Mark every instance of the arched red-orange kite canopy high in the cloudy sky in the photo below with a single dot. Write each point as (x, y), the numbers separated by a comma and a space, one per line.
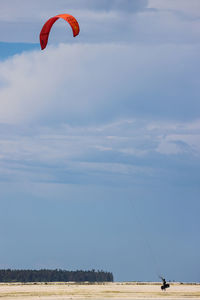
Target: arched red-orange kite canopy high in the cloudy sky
(44, 34)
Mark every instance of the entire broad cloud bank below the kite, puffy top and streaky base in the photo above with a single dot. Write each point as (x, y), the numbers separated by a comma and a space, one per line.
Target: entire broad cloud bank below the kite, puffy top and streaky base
(108, 113)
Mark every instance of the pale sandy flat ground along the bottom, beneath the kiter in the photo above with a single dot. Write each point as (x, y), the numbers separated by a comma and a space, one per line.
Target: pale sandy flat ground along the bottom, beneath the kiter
(115, 291)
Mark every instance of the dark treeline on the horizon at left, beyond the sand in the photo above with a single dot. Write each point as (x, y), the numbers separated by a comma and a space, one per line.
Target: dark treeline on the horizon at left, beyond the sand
(45, 275)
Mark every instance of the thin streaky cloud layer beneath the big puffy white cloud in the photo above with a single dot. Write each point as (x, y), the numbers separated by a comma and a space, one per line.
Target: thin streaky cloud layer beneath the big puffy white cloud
(124, 149)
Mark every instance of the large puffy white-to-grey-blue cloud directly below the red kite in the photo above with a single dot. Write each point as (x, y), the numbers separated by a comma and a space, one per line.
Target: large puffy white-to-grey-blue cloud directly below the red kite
(93, 83)
